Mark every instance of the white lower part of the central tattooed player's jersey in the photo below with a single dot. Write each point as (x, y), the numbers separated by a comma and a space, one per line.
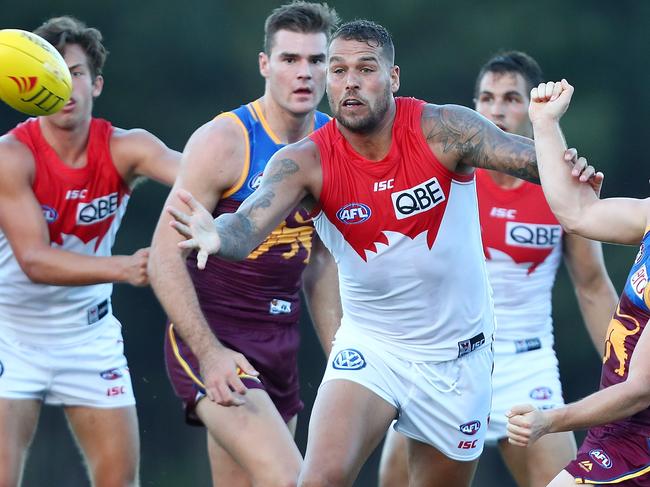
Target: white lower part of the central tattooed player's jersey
(424, 304)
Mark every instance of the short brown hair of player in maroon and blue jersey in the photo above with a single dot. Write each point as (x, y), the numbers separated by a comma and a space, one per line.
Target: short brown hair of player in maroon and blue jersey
(299, 16)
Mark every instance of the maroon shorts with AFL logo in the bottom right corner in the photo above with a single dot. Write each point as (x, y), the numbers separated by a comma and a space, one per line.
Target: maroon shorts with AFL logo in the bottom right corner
(612, 455)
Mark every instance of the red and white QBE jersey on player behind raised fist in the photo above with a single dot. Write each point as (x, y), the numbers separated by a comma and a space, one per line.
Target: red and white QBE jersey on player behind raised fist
(522, 241)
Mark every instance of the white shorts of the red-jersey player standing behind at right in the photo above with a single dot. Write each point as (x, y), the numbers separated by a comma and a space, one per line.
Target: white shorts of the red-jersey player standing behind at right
(530, 377)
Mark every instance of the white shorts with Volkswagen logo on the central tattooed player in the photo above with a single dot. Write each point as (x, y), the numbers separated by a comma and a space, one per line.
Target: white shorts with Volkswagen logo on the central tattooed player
(444, 404)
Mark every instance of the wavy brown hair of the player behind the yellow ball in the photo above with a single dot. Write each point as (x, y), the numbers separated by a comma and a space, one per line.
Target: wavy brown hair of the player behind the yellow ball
(61, 31)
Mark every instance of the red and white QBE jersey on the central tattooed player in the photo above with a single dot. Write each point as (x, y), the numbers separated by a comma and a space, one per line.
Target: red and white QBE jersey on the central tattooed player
(405, 234)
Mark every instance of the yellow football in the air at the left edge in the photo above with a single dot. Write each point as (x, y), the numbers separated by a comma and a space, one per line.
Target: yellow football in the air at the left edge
(34, 78)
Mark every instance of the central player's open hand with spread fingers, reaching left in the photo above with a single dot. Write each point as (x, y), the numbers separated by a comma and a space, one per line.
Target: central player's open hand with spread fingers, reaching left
(197, 228)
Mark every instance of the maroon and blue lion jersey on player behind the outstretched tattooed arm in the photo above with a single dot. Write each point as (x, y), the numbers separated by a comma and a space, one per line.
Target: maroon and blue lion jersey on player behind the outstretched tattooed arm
(263, 289)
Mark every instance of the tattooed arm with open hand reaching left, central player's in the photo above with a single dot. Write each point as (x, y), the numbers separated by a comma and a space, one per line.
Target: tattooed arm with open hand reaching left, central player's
(293, 174)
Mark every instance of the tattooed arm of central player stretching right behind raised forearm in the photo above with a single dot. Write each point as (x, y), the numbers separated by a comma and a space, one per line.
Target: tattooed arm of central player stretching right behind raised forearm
(460, 137)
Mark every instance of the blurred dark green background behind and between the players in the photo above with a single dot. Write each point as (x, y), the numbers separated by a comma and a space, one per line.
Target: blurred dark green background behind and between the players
(174, 65)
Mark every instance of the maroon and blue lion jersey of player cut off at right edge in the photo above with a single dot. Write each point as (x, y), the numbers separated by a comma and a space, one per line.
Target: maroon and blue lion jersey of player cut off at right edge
(629, 320)
